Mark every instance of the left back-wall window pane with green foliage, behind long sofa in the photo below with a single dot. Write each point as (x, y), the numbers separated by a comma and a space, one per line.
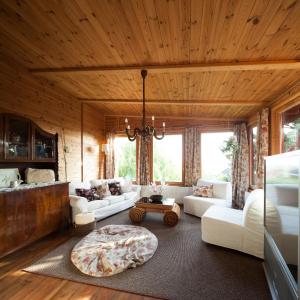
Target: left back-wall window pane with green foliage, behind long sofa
(125, 158)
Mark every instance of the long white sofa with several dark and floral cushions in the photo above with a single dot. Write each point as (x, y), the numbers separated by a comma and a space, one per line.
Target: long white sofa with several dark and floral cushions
(101, 208)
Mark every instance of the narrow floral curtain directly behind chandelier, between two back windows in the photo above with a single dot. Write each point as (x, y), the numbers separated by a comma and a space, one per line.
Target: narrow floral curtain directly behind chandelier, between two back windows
(143, 163)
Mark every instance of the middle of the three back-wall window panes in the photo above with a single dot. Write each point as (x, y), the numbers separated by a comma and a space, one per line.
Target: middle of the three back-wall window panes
(167, 158)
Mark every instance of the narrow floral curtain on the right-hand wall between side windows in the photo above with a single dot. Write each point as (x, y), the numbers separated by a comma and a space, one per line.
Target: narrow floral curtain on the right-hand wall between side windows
(262, 145)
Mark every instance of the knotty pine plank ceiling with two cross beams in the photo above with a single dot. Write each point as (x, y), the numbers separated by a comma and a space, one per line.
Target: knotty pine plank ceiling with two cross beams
(218, 59)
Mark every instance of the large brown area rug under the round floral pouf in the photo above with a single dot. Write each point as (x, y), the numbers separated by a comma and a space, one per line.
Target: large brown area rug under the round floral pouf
(183, 266)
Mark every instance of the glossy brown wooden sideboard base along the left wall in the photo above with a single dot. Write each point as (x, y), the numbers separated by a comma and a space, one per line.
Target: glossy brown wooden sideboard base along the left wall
(29, 214)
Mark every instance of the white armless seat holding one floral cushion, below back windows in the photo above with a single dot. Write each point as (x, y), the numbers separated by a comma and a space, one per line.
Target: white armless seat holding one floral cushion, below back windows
(197, 206)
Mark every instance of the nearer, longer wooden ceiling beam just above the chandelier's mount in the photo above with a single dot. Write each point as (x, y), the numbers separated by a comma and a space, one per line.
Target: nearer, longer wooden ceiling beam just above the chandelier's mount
(182, 68)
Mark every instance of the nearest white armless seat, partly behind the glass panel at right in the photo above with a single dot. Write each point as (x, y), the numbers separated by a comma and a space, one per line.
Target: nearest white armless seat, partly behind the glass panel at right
(242, 230)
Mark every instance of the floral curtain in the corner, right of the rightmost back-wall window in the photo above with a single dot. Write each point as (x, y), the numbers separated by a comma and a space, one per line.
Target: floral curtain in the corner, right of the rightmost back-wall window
(240, 166)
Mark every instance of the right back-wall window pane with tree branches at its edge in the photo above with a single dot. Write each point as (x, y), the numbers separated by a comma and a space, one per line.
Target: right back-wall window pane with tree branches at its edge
(216, 155)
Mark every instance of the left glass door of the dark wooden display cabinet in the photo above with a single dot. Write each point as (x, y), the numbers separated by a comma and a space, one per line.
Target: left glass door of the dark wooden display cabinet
(17, 139)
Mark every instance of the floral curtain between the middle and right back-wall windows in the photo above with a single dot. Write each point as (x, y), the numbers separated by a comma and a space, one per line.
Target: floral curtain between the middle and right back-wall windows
(192, 163)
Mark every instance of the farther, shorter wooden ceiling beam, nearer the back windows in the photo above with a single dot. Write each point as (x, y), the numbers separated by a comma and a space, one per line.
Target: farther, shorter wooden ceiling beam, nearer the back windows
(176, 102)
